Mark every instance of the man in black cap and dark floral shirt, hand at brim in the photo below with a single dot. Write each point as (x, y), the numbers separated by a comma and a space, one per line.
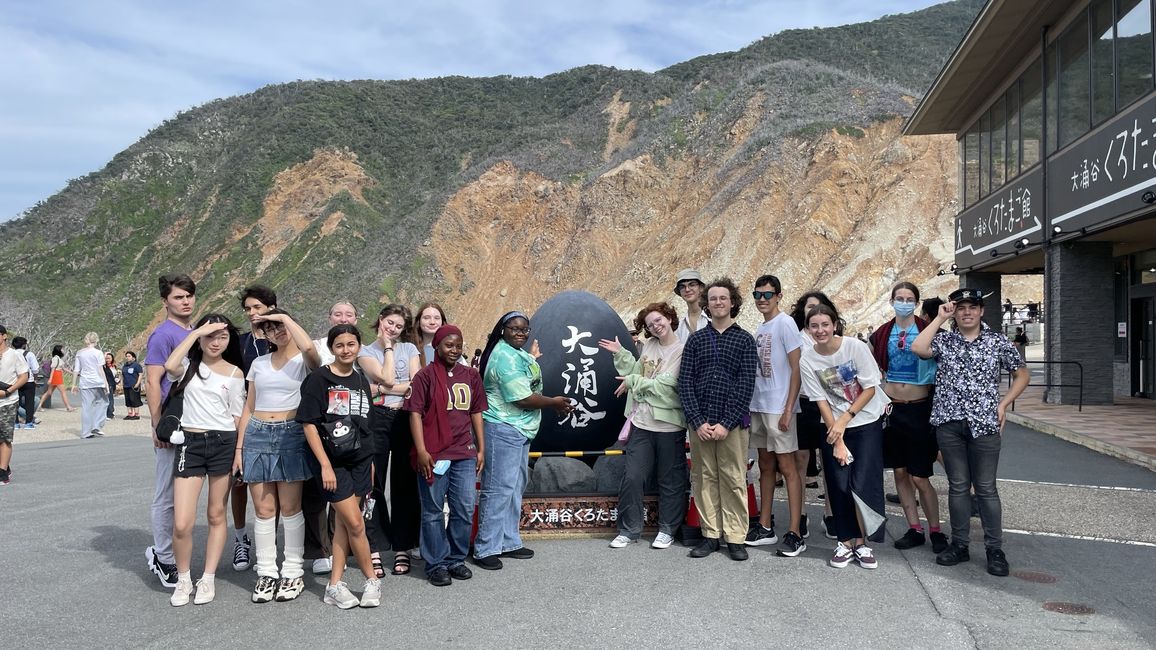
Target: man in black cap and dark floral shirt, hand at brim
(968, 415)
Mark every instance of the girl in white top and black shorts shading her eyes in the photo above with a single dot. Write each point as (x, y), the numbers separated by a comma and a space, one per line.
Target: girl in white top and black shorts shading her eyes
(214, 393)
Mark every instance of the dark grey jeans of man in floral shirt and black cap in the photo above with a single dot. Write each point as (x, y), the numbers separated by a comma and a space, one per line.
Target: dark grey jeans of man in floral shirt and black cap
(972, 463)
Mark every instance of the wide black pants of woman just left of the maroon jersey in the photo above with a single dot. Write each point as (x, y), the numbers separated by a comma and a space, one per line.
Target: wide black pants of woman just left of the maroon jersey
(398, 526)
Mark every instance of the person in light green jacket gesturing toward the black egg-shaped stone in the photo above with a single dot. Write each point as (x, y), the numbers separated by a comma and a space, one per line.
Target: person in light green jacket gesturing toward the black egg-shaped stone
(656, 424)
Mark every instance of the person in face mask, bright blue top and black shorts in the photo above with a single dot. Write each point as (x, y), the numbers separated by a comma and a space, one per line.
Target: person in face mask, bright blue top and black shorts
(909, 441)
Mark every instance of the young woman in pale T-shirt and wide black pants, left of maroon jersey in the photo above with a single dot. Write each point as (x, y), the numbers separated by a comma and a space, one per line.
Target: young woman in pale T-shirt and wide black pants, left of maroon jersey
(391, 365)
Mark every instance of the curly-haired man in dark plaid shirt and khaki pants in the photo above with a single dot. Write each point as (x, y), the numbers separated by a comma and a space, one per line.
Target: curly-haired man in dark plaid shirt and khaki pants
(716, 382)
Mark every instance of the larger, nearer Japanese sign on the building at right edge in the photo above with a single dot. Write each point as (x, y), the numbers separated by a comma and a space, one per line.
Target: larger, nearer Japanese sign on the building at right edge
(1107, 174)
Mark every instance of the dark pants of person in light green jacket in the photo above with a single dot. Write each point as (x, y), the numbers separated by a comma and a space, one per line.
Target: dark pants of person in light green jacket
(664, 454)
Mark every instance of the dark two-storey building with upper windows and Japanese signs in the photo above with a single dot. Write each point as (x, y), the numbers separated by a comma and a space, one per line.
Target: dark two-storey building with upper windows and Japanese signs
(1055, 110)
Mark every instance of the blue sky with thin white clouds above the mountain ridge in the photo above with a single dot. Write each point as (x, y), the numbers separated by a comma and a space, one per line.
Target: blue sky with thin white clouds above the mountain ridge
(81, 80)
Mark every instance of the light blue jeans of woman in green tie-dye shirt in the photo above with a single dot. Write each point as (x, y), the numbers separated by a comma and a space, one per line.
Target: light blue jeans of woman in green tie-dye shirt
(505, 478)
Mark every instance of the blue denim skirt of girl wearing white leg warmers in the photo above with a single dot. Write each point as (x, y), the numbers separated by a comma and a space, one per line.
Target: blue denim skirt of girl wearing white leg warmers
(276, 452)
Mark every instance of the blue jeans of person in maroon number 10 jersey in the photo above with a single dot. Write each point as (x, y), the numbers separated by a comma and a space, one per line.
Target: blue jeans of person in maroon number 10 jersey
(447, 546)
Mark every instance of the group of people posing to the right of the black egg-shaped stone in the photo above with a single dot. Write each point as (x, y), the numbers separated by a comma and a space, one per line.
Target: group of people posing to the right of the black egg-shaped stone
(917, 393)
